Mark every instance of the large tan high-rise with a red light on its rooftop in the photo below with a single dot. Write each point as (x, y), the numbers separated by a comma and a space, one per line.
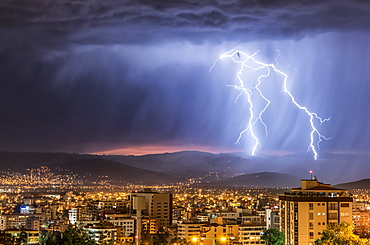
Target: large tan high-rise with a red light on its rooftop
(306, 211)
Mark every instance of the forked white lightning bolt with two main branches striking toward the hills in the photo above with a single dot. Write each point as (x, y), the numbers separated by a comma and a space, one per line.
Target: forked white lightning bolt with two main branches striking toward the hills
(245, 61)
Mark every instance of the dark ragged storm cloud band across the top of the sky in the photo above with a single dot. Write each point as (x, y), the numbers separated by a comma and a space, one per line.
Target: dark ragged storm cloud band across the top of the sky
(54, 24)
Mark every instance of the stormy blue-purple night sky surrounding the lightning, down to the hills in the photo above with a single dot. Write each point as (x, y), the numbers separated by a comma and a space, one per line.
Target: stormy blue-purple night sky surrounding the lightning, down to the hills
(132, 77)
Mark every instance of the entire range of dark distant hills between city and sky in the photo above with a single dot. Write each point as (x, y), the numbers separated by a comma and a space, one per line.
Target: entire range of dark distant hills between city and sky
(228, 169)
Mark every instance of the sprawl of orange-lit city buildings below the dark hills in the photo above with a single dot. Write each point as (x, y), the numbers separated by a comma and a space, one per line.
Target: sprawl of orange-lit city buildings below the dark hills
(196, 216)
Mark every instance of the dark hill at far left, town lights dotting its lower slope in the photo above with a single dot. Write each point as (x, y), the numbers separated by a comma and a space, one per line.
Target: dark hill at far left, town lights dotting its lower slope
(91, 167)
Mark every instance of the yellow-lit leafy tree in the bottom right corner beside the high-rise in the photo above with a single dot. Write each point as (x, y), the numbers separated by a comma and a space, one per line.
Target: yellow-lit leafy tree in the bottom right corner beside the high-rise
(341, 234)
